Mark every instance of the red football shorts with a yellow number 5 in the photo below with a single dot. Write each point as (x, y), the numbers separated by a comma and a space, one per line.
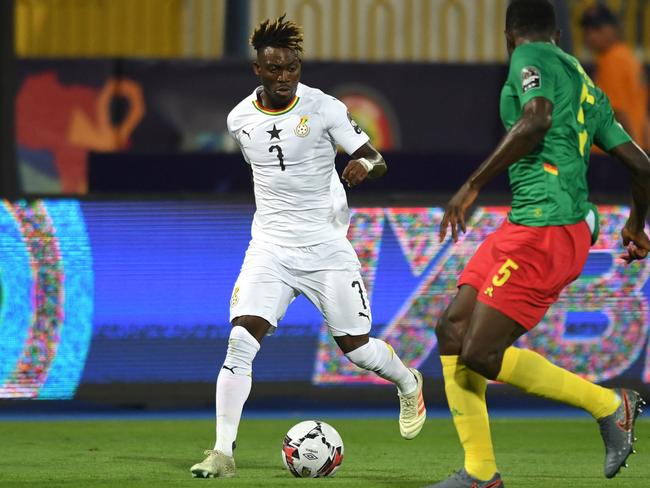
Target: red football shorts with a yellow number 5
(520, 271)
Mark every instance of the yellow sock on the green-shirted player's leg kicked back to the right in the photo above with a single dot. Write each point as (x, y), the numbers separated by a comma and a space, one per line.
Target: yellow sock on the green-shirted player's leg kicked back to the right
(534, 374)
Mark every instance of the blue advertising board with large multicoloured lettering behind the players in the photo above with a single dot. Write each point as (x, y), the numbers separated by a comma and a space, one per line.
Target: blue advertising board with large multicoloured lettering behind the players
(138, 292)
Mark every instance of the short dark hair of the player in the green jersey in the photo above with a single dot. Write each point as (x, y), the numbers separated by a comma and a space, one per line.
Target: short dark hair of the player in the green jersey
(531, 17)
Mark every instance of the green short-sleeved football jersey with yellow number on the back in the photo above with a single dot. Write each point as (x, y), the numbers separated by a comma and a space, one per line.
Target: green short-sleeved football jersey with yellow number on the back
(549, 185)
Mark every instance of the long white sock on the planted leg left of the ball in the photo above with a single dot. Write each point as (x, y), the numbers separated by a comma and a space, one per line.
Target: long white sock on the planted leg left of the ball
(234, 386)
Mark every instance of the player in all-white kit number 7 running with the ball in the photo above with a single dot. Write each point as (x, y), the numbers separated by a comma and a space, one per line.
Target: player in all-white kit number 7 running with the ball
(288, 133)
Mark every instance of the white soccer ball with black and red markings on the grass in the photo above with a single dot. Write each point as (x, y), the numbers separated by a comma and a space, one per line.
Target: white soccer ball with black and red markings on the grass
(312, 449)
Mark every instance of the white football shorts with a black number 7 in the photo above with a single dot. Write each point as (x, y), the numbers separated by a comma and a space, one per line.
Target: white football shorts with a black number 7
(328, 274)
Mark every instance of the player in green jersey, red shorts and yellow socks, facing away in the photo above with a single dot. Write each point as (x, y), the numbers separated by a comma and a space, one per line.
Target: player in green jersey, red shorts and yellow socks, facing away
(553, 113)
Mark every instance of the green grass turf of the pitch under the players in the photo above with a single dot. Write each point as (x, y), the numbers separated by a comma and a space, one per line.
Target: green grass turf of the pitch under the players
(129, 453)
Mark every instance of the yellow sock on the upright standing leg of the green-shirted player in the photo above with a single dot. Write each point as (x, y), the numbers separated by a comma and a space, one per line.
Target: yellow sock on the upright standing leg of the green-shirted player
(465, 391)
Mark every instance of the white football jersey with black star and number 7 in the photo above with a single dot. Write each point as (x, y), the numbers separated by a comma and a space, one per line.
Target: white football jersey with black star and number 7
(298, 193)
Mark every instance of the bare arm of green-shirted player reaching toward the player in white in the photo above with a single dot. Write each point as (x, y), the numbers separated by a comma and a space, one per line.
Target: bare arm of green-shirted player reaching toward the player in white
(524, 136)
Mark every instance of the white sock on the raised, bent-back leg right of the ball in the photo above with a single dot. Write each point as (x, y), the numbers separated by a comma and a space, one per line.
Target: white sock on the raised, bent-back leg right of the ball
(379, 356)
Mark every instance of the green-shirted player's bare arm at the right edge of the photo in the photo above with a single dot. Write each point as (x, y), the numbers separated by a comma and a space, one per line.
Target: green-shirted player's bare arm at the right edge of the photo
(637, 163)
